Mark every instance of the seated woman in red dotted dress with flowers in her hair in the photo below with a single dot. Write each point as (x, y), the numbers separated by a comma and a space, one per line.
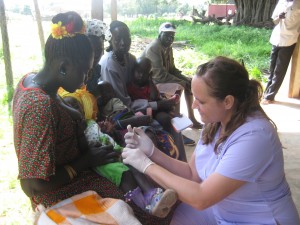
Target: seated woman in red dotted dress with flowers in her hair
(45, 135)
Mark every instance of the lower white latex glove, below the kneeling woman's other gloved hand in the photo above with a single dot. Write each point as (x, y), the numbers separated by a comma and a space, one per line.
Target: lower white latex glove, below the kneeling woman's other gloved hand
(136, 158)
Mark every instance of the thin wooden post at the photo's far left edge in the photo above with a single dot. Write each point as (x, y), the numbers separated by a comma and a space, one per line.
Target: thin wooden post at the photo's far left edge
(6, 53)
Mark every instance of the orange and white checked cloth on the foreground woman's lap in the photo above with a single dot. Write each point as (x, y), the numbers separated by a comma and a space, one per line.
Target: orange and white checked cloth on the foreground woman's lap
(88, 208)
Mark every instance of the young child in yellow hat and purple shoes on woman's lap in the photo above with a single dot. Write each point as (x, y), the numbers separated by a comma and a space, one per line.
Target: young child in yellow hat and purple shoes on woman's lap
(136, 185)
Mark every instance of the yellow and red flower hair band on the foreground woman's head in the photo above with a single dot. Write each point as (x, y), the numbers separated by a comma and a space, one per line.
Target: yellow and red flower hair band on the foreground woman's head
(59, 31)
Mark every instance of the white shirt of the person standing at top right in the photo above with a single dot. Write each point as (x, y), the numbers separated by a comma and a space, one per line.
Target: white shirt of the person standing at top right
(287, 30)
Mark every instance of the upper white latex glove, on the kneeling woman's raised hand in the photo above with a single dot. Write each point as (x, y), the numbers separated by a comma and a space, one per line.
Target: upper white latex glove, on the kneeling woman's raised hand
(137, 138)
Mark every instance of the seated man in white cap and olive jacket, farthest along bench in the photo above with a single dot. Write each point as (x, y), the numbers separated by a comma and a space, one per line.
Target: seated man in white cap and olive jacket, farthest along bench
(166, 76)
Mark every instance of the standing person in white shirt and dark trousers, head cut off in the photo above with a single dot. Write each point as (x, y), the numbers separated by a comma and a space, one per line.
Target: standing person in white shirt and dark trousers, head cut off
(283, 39)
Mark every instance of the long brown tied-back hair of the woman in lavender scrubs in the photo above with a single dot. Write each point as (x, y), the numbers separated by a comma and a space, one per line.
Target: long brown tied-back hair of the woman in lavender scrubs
(224, 77)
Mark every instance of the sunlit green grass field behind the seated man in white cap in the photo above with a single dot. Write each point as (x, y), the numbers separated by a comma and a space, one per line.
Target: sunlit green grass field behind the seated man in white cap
(241, 43)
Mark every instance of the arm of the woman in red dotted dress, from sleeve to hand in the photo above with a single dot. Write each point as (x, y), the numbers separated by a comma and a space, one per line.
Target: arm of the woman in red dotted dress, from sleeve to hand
(36, 146)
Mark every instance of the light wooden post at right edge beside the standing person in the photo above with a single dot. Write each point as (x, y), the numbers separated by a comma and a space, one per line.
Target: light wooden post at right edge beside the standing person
(294, 85)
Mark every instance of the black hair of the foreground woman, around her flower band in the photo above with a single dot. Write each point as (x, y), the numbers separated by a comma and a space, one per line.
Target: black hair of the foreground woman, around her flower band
(76, 47)
